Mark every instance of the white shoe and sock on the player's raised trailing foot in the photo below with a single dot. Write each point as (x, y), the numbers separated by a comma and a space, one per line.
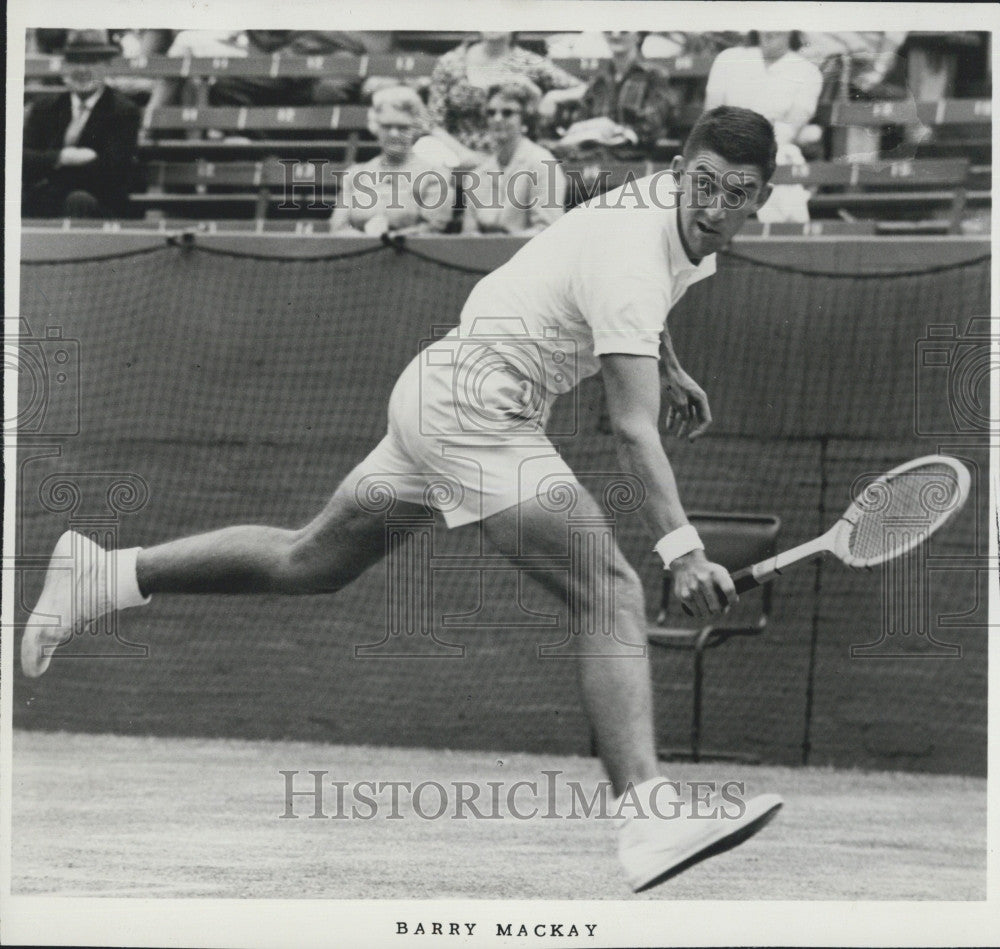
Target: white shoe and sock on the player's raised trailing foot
(83, 583)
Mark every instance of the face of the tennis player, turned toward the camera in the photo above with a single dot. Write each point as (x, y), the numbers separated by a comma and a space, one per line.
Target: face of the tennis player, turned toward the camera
(717, 197)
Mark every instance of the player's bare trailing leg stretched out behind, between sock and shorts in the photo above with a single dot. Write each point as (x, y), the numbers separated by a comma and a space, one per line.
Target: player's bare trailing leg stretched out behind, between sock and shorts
(341, 543)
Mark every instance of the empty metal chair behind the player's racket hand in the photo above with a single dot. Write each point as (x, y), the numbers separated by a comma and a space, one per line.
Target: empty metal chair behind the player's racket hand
(735, 541)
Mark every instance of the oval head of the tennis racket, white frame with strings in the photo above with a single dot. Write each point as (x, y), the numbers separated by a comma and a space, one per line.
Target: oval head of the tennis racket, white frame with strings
(900, 510)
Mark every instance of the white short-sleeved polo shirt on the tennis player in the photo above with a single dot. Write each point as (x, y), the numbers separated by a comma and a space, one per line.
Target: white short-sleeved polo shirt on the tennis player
(599, 280)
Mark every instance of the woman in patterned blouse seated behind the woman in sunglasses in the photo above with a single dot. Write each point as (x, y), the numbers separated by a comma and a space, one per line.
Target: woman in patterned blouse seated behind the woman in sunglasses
(463, 77)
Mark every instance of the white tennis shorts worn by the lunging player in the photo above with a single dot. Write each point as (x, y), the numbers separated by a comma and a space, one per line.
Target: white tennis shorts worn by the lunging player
(466, 437)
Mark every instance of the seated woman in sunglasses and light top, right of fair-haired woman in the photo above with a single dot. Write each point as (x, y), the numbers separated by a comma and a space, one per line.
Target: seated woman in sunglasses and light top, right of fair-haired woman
(520, 189)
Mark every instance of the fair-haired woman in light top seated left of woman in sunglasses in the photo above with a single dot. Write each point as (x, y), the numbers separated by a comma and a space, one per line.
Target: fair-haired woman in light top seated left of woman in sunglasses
(397, 191)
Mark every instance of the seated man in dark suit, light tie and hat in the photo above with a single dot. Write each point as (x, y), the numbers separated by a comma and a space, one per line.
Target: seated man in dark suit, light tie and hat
(80, 145)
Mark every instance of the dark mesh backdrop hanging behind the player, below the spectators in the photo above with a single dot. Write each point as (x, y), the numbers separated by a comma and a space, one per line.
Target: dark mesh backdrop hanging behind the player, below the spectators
(243, 389)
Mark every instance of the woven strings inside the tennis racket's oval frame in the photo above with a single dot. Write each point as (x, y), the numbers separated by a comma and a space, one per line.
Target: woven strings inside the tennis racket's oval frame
(903, 510)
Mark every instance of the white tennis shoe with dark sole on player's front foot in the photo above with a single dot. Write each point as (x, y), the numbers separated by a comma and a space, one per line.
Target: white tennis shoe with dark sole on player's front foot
(654, 849)
